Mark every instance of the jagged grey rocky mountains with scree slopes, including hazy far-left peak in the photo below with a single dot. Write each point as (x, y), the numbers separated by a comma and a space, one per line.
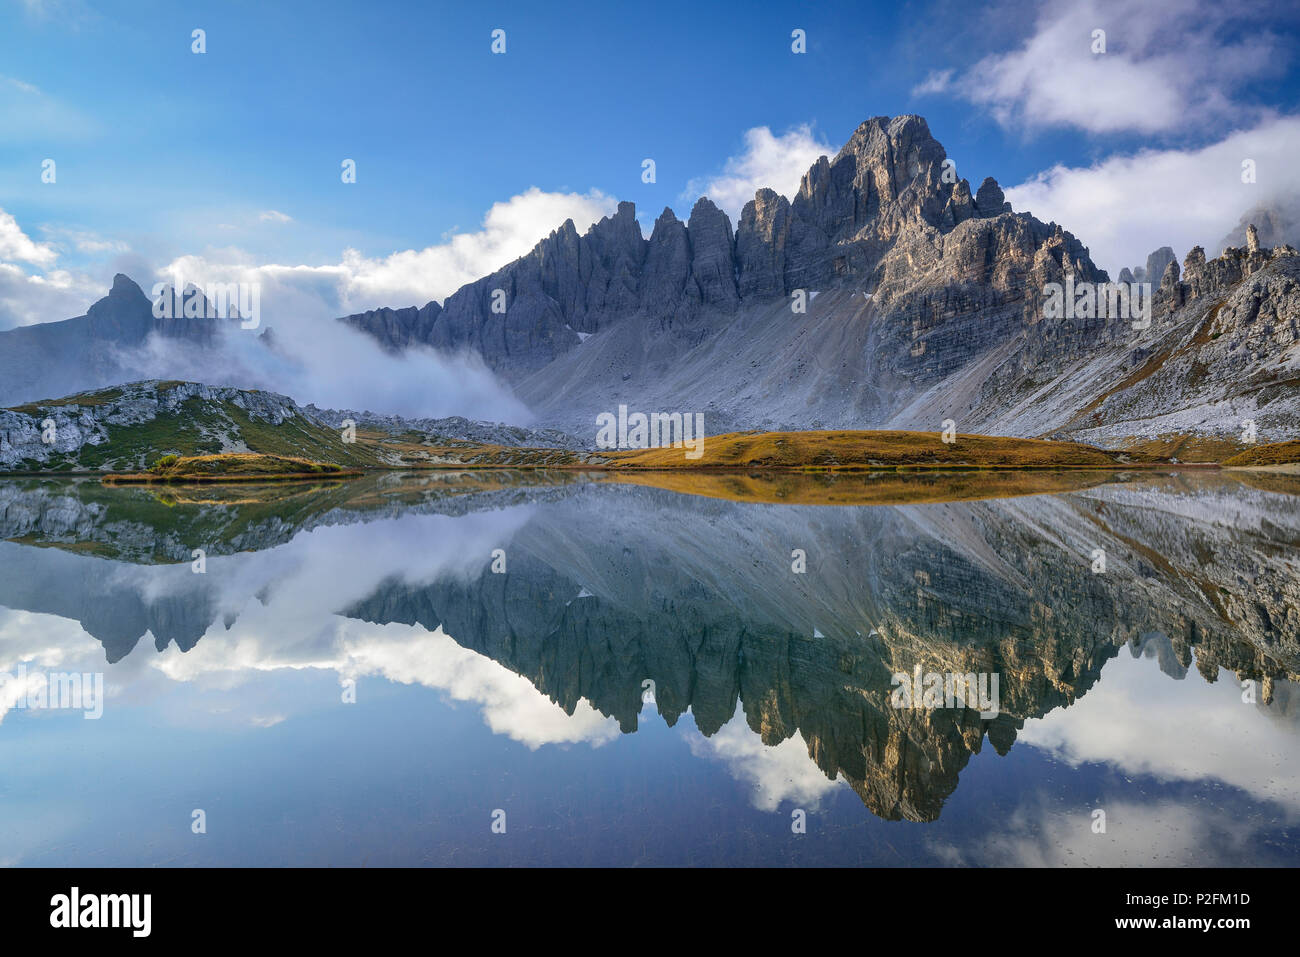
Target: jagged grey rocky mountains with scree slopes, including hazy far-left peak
(886, 295)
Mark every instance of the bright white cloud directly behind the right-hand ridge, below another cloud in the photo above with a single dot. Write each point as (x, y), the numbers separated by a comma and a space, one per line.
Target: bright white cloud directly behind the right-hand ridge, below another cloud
(1125, 207)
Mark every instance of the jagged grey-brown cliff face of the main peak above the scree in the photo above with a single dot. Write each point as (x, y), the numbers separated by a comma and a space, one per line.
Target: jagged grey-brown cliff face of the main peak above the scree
(878, 215)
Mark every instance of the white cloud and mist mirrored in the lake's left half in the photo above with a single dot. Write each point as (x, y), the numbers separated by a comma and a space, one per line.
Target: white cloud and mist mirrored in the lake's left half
(284, 604)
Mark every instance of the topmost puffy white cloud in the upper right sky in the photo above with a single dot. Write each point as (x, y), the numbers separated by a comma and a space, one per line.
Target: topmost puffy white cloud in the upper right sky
(1165, 70)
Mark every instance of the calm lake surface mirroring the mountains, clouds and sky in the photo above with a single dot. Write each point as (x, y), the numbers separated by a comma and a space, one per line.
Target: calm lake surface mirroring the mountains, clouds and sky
(652, 677)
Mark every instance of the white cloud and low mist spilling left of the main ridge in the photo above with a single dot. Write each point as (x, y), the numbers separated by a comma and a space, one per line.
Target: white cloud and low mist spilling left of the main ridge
(335, 366)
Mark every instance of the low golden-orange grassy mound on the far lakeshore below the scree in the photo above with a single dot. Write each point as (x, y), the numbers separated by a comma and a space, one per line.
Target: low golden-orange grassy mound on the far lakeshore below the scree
(866, 451)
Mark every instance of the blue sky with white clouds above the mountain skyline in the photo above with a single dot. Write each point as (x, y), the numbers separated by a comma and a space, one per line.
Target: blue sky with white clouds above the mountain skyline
(229, 162)
